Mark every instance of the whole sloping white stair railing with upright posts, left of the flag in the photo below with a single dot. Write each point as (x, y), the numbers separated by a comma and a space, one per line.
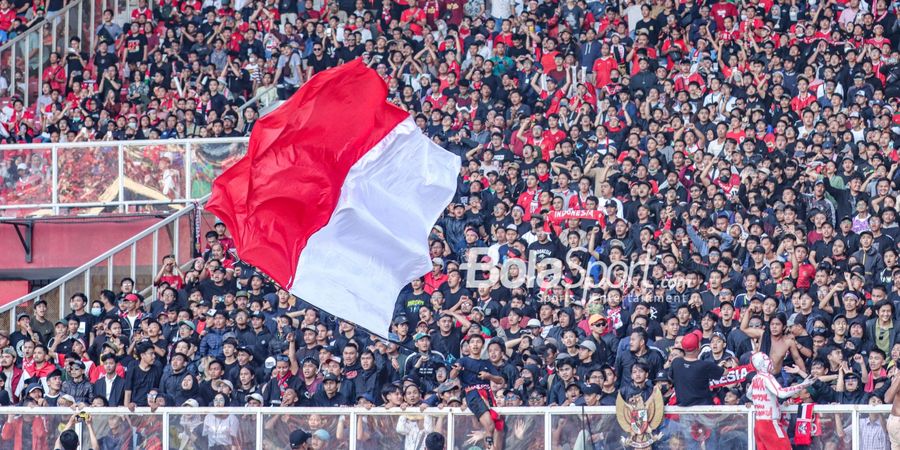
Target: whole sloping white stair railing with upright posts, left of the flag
(137, 258)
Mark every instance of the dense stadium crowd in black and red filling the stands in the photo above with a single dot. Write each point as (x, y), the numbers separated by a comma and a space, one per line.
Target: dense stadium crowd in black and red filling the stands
(737, 161)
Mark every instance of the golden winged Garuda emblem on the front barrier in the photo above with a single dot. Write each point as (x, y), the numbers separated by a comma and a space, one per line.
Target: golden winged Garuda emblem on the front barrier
(639, 419)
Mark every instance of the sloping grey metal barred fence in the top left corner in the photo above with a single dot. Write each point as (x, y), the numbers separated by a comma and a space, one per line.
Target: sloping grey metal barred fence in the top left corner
(24, 57)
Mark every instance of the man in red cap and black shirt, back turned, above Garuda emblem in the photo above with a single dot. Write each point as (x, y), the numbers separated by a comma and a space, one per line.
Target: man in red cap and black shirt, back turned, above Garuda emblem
(691, 375)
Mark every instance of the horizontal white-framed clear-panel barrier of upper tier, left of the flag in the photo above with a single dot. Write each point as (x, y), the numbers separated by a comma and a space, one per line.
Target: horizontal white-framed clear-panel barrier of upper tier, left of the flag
(123, 176)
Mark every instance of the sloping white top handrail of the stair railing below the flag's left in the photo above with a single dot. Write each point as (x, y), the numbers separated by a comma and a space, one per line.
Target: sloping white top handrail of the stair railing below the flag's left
(105, 256)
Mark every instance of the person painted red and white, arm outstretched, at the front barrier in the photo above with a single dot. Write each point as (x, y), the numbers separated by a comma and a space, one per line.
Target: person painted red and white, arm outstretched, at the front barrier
(765, 392)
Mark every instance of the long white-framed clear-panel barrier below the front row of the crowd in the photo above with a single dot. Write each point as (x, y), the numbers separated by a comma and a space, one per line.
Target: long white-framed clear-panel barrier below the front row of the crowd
(568, 428)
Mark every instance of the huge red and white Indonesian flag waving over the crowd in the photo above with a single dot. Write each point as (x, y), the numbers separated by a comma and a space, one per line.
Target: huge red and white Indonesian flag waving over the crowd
(336, 196)
